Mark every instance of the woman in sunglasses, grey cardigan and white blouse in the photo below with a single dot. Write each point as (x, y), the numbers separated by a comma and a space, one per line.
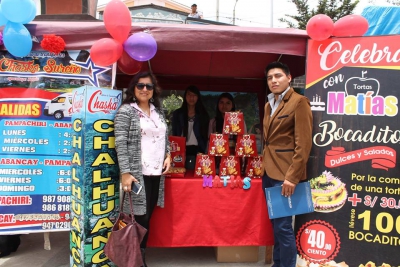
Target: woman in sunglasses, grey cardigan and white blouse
(142, 146)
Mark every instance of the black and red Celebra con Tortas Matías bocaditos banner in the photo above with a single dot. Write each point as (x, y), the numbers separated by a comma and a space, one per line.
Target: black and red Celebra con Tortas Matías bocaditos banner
(353, 87)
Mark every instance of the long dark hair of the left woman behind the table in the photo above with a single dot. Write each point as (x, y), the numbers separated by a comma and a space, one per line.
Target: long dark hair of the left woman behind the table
(200, 111)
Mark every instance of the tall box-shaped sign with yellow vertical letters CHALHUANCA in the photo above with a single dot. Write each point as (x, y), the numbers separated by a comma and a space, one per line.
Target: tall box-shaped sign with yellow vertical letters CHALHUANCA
(94, 174)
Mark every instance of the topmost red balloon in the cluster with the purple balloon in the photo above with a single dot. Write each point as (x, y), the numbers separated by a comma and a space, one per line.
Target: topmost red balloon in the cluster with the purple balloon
(117, 20)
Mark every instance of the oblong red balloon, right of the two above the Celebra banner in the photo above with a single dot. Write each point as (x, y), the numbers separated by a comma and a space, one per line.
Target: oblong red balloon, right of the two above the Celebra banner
(350, 25)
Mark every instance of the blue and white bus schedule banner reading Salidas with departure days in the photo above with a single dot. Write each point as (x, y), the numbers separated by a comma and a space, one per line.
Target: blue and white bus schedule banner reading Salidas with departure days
(35, 124)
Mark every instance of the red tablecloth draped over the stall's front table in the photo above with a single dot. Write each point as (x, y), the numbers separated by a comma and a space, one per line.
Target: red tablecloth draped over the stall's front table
(197, 216)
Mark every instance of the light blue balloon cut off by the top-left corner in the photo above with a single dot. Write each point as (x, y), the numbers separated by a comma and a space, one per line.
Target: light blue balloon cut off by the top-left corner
(18, 11)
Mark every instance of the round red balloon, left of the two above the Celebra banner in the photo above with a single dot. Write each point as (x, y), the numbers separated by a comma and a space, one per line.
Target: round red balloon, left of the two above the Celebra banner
(319, 27)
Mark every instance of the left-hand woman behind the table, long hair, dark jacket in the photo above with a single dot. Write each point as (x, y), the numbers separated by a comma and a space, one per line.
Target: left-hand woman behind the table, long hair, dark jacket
(191, 121)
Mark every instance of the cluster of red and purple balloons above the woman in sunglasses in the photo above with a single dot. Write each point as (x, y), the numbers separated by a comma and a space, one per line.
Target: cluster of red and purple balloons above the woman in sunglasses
(128, 52)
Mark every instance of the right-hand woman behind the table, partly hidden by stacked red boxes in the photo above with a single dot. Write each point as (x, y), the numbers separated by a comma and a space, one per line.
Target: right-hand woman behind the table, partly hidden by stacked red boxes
(225, 103)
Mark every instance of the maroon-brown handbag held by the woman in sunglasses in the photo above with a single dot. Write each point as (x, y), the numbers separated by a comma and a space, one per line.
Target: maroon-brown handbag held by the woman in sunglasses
(123, 245)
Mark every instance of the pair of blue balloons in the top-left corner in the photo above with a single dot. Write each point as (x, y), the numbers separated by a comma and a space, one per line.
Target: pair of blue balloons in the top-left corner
(14, 14)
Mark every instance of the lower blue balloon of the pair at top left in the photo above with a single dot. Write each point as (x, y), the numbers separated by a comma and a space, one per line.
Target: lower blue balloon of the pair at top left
(17, 39)
